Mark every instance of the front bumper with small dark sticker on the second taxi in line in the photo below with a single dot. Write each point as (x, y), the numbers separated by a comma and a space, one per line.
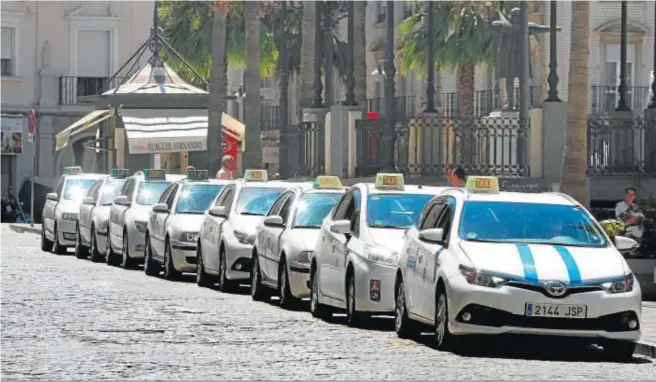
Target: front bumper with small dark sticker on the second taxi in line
(374, 287)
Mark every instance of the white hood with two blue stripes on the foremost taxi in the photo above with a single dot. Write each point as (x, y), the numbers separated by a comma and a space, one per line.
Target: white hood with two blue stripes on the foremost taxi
(546, 262)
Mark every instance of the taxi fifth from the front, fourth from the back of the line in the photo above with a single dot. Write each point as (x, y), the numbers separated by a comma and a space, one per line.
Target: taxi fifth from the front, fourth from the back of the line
(174, 223)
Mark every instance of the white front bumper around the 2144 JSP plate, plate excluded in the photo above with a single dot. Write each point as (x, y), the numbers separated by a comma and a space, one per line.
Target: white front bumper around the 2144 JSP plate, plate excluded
(502, 310)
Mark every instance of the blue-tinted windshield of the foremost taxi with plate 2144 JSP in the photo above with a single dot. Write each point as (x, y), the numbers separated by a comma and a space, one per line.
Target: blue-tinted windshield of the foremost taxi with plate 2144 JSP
(533, 223)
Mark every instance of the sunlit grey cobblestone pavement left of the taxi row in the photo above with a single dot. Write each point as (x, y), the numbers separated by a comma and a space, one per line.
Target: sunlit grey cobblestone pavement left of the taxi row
(64, 318)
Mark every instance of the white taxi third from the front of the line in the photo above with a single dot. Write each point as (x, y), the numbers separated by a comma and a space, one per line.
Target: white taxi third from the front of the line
(285, 239)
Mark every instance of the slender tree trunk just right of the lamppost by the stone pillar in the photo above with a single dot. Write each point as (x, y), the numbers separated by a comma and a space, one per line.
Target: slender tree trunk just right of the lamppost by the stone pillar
(360, 54)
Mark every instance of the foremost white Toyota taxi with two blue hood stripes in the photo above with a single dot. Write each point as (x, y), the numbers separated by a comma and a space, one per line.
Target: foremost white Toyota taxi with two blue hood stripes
(488, 262)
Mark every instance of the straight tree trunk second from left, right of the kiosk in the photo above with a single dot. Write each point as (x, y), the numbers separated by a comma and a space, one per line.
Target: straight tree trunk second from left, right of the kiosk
(253, 154)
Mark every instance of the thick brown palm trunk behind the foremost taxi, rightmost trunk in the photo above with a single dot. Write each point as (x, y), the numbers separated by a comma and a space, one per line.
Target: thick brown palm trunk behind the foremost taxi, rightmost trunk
(575, 180)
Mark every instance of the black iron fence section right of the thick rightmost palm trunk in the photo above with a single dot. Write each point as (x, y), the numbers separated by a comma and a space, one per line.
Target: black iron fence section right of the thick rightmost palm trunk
(621, 146)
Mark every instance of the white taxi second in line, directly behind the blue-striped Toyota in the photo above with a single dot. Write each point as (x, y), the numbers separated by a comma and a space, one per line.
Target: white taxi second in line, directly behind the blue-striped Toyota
(354, 262)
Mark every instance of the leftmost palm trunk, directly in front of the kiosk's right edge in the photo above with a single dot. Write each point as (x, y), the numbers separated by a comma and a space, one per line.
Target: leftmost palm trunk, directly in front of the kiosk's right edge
(217, 90)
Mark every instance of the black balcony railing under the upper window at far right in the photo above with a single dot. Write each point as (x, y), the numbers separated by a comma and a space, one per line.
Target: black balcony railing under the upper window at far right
(604, 98)
